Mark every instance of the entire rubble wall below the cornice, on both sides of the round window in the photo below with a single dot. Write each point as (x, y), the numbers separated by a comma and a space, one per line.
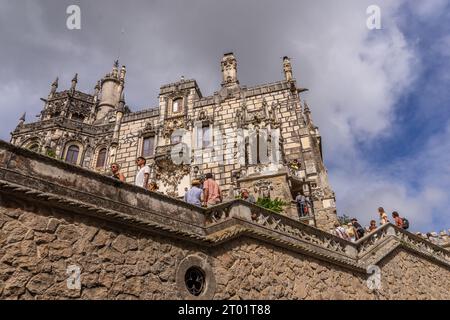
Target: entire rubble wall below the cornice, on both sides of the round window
(39, 244)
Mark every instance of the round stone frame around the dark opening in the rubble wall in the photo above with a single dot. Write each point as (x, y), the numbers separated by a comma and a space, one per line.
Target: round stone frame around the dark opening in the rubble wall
(202, 262)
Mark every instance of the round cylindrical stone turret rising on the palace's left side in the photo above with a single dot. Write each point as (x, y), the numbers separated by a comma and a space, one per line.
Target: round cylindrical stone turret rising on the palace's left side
(111, 89)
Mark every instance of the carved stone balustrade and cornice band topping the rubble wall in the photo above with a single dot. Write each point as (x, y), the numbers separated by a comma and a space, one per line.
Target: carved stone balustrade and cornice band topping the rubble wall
(47, 182)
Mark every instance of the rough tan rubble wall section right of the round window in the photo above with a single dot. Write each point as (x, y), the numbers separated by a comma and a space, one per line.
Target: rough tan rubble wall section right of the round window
(246, 269)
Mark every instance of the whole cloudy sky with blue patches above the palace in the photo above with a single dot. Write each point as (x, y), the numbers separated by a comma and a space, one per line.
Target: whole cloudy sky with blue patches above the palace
(381, 98)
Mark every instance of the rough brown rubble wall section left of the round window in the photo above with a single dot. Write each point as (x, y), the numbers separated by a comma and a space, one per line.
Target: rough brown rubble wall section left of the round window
(37, 248)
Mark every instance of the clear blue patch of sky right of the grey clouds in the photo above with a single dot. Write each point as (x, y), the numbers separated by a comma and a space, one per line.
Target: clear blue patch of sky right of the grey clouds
(411, 161)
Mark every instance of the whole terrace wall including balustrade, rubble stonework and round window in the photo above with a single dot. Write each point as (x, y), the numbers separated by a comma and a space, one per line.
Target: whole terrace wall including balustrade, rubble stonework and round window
(130, 243)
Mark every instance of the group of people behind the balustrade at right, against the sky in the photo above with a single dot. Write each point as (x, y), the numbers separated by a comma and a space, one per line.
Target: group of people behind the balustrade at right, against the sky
(353, 231)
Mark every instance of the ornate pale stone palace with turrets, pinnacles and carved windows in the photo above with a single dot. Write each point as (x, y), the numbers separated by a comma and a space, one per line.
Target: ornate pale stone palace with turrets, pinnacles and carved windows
(245, 136)
